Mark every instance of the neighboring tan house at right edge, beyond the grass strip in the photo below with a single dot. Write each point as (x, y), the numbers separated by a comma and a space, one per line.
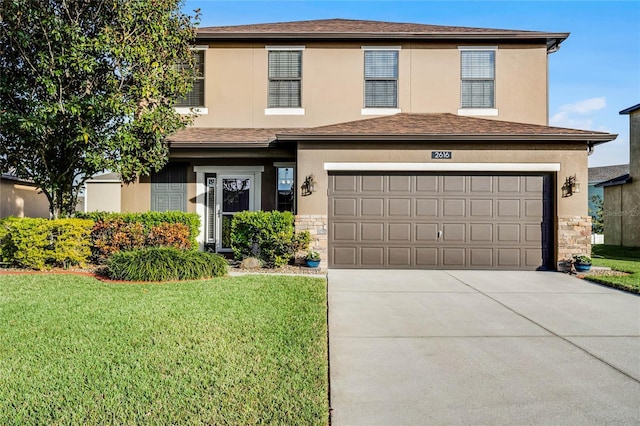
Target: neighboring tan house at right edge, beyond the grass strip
(622, 193)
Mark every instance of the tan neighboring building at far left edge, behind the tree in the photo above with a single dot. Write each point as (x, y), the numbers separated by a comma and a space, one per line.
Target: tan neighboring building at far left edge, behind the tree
(21, 198)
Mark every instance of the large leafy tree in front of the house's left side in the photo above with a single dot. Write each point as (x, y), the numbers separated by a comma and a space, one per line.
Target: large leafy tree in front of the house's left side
(88, 86)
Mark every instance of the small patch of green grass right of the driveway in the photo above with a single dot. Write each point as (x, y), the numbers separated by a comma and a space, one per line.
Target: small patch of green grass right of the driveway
(625, 259)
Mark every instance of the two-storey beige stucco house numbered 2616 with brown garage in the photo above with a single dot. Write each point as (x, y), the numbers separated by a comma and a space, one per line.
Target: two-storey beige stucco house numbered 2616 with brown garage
(410, 145)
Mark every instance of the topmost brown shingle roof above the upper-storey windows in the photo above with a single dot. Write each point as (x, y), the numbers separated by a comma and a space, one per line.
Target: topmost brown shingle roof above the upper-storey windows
(350, 28)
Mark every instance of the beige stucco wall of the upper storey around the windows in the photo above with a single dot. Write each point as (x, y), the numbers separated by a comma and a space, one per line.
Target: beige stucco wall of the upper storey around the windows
(333, 83)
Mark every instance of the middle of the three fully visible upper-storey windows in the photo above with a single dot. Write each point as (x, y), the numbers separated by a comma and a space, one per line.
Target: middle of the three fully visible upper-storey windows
(380, 78)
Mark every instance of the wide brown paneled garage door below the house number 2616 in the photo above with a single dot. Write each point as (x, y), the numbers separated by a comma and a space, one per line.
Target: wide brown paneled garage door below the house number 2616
(443, 221)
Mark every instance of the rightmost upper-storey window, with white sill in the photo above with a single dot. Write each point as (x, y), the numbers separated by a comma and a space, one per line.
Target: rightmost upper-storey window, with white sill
(478, 78)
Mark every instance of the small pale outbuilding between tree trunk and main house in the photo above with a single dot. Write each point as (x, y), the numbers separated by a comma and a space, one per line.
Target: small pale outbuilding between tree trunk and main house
(102, 193)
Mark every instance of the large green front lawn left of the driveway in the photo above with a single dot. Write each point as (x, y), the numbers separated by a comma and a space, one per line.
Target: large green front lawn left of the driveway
(243, 350)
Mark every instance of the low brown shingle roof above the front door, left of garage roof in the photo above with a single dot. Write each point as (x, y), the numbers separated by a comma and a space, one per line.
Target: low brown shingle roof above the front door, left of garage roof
(222, 137)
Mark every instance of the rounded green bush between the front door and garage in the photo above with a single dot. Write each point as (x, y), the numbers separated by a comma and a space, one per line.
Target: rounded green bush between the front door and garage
(269, 236)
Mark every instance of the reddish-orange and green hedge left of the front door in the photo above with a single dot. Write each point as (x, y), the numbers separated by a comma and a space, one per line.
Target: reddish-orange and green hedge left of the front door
(114, 232)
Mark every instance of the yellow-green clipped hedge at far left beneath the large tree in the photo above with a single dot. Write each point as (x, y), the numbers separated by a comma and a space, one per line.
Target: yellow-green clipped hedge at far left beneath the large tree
(39, 243)
